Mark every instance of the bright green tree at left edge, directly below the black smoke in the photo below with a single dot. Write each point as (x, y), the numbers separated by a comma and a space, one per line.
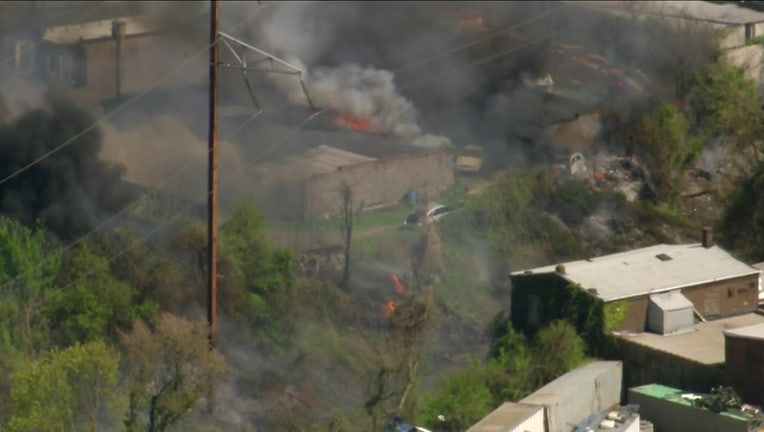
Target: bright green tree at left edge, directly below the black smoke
(28, 267)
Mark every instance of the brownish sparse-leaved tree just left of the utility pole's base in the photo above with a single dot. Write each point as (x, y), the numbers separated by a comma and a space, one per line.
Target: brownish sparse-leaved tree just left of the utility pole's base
(167, 371)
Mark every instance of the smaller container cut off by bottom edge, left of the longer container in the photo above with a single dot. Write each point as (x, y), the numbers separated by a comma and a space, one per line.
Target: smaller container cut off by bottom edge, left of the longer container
(512, 417)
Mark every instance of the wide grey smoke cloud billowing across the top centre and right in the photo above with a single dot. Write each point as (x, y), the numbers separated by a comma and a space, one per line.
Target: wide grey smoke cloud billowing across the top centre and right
(479, 94)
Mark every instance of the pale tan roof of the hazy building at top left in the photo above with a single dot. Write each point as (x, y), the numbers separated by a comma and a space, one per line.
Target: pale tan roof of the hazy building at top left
(98, 30)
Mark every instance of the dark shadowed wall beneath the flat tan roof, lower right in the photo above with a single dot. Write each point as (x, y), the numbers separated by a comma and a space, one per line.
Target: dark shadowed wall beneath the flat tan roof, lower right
(643, 365)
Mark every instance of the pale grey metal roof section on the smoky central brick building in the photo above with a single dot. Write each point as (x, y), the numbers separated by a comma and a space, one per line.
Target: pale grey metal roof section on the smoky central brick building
(319, 160)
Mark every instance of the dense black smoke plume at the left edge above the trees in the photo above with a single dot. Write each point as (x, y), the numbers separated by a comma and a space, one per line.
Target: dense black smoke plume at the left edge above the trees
(72, 189)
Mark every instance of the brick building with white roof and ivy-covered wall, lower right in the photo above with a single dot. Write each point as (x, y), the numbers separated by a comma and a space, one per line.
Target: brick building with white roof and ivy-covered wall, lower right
(703, 275)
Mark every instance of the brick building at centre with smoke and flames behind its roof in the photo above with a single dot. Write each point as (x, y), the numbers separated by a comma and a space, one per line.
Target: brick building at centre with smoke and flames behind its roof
(308, 184)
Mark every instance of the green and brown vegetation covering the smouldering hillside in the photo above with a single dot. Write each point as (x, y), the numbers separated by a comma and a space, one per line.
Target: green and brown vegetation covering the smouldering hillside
(94, 336)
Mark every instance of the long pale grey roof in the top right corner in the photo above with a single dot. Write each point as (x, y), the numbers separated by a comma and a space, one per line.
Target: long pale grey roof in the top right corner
(728, 14)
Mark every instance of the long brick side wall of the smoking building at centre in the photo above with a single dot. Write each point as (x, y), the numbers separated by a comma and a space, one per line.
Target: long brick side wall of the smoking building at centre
(382, 181)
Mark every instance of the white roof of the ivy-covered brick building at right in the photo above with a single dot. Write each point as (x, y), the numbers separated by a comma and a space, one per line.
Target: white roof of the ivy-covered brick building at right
(652, 269)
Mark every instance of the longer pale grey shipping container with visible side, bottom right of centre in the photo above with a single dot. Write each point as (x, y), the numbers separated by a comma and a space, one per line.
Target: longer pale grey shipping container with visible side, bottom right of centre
(578, 394)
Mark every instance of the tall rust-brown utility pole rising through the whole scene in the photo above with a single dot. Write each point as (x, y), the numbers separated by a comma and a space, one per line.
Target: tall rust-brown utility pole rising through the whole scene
(212, 191)
